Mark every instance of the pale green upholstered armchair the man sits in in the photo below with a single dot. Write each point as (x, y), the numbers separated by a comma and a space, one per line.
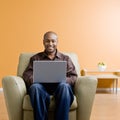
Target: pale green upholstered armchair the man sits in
(18, 102)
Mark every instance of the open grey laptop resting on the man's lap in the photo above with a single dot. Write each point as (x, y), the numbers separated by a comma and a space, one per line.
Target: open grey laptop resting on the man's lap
(49, 71)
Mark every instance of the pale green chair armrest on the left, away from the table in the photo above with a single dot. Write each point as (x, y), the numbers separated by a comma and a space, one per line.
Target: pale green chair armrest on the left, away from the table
(14, 90)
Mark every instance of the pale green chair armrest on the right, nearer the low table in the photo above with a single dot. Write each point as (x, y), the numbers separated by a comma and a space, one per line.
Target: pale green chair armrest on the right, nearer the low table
(85, 89)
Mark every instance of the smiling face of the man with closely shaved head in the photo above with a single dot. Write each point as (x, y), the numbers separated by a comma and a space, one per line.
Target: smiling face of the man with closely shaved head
(50, 43)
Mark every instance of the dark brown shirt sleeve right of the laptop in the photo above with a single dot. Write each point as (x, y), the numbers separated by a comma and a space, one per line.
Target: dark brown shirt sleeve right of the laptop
(71, 72)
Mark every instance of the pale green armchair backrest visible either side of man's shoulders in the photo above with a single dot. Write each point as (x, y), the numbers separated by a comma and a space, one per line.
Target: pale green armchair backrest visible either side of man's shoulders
(25, 57)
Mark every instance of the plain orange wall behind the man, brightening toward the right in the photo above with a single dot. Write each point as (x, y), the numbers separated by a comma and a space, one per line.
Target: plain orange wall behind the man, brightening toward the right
(88, 27)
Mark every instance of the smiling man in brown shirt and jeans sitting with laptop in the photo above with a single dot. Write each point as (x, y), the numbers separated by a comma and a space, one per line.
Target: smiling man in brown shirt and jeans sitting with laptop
(40, 92)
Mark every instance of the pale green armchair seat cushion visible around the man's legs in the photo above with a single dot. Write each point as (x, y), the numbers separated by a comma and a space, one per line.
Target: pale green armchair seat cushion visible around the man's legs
(27, 103)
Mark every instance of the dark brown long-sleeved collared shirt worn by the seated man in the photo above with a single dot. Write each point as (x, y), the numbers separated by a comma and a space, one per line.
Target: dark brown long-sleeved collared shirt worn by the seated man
(71, 74)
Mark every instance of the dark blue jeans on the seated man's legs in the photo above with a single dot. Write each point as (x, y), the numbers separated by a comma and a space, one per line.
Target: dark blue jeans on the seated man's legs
(40, 100)
